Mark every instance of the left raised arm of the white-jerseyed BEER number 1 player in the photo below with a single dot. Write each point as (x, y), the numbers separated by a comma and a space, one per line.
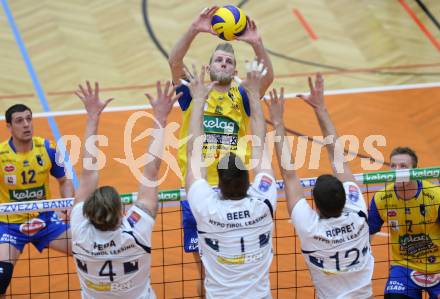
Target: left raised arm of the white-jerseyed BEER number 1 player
(199, 92)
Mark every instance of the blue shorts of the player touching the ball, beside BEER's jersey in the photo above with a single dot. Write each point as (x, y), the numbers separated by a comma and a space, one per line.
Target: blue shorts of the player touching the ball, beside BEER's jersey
(190, 236)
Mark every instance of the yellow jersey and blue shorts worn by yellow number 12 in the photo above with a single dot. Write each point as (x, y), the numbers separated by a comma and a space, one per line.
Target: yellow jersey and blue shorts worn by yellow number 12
(25, 177)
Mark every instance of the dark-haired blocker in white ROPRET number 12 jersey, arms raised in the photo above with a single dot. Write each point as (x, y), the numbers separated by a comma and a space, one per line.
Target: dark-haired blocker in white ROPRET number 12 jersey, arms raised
(335, 236)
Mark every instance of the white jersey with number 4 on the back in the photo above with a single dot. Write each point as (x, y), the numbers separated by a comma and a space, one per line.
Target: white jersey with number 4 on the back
(113, 264)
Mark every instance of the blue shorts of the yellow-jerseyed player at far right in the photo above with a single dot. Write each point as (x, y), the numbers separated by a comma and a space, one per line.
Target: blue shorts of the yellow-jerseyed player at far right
(411, 283)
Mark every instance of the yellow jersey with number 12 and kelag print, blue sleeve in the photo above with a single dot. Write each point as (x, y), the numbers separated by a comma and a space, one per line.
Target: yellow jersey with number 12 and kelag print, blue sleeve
(25, 176)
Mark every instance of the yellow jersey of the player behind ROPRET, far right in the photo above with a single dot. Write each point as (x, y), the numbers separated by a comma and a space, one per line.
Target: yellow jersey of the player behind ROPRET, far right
(413, 226)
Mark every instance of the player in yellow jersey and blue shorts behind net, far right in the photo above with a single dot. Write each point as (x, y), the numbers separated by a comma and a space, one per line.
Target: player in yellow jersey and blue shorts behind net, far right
(411, 211)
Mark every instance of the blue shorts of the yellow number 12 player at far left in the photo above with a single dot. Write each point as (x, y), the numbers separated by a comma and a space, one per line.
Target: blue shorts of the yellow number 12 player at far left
(39, 231)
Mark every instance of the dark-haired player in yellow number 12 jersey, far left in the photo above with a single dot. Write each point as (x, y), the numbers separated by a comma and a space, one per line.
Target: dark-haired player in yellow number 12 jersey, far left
(25, 165)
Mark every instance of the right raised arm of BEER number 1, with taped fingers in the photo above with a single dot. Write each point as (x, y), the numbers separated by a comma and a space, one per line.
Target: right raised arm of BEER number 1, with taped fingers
(254, 79)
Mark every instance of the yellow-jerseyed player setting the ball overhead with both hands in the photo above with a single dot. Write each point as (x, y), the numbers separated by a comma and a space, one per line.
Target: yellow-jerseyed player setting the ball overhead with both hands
(227, 111)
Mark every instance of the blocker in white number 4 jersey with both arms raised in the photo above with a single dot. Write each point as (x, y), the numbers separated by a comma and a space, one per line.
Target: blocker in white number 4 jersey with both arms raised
(112, 251)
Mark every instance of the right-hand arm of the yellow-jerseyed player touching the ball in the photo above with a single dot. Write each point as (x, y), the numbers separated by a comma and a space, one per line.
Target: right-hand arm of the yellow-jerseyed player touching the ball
(253, 38)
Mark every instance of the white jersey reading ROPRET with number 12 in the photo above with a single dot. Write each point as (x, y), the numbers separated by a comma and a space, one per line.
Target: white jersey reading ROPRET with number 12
(337, 250)
